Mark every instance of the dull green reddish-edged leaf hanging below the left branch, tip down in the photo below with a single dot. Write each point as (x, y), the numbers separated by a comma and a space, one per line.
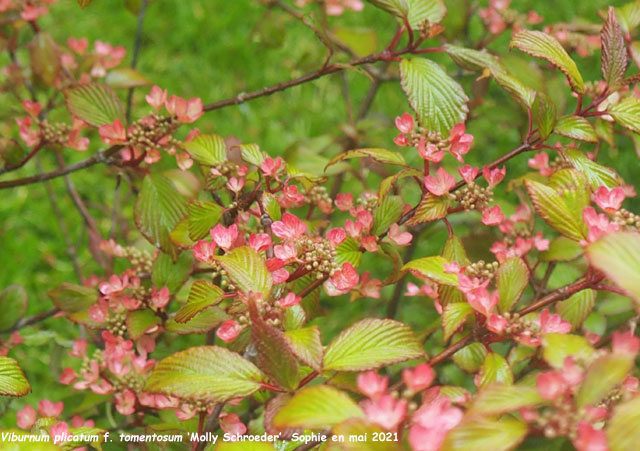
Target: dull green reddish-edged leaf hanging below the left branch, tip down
(159, 208)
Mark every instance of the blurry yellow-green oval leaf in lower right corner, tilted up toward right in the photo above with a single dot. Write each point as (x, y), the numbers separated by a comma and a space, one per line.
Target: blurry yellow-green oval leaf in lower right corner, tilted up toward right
(602, 376)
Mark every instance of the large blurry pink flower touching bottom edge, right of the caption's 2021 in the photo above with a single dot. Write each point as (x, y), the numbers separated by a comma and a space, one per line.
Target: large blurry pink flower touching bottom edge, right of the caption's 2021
(432, 421)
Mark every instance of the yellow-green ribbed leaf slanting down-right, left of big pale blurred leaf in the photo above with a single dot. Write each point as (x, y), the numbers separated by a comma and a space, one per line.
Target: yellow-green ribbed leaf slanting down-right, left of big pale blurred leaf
(554, 210)
